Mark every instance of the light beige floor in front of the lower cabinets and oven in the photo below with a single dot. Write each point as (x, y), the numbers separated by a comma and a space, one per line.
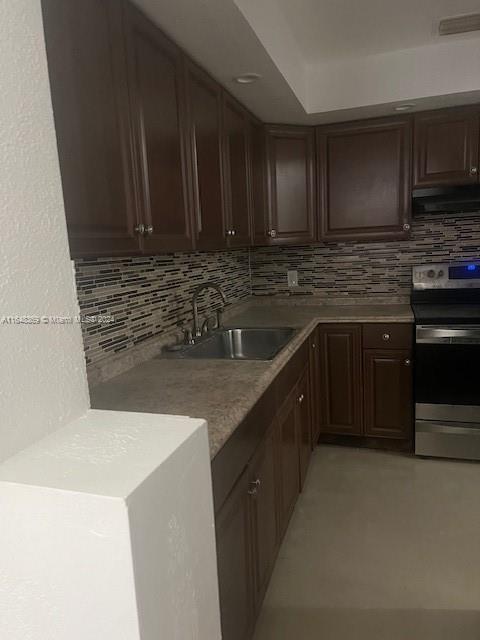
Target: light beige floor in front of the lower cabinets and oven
(380, 547)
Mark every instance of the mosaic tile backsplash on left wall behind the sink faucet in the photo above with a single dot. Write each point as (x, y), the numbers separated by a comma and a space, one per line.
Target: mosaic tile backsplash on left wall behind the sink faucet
(150, 296)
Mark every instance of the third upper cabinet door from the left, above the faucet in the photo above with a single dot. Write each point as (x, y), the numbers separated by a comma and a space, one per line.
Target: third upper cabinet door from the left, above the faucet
(205, 108)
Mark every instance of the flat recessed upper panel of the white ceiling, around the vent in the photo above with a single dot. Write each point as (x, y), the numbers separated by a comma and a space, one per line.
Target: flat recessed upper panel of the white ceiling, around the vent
(329, 29)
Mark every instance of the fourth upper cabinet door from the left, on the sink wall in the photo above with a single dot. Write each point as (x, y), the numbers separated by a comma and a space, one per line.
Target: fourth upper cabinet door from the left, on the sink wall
(237, 174)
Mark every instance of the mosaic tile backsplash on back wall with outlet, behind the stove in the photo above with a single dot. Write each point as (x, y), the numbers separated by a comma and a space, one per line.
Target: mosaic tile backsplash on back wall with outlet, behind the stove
(354, 268)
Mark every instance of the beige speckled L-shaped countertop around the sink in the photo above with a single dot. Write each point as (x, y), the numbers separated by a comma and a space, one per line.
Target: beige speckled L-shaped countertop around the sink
(223, 392)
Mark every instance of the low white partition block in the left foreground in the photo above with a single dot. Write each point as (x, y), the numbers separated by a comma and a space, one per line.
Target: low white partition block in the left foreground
(108, 533)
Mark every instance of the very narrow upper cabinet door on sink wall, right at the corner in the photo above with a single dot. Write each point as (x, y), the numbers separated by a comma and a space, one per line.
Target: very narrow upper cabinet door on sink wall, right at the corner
(260, 220)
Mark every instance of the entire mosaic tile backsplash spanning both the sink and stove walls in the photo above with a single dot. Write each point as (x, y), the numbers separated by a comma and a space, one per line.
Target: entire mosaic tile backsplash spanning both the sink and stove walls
(150, 296)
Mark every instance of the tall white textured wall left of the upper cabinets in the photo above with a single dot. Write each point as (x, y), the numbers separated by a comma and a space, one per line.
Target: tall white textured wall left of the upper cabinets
(42, 372)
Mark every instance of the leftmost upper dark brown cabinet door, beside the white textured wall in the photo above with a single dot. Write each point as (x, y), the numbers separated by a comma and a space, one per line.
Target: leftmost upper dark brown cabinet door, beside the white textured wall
(86, 61)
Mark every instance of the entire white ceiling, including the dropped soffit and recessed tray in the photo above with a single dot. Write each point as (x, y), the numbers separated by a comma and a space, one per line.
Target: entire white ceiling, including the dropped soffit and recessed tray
(328, 60)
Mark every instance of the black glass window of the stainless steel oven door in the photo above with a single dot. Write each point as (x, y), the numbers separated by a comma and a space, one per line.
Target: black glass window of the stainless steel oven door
(447, 374)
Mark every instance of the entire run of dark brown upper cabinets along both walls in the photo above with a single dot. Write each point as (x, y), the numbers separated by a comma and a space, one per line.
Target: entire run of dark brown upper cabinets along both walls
(156, 156)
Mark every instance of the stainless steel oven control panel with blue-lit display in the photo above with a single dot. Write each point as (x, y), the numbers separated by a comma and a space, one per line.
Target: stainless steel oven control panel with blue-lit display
(463, 275)
